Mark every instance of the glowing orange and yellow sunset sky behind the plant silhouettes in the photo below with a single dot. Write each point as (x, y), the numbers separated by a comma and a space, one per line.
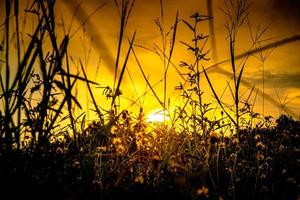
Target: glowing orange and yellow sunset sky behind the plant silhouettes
(281, 68)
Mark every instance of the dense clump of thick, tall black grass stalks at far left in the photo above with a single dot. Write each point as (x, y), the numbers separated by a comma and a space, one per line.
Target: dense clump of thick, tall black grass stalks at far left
(41, 117)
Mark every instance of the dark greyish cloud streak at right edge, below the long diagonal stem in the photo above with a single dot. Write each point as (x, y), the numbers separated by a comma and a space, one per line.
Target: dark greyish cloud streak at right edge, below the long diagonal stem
(281, 79)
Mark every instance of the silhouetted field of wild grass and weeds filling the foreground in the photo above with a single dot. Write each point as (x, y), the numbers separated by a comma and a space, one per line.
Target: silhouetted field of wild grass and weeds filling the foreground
(47, 152)
